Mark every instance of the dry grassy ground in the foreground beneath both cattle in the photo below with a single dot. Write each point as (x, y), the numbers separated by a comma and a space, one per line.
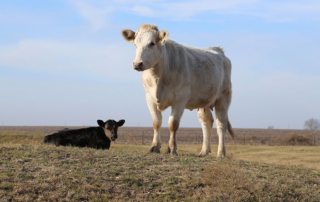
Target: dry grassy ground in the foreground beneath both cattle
(32, 171)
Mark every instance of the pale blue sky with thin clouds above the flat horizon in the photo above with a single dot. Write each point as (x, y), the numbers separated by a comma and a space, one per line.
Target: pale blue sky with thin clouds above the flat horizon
(64, 62)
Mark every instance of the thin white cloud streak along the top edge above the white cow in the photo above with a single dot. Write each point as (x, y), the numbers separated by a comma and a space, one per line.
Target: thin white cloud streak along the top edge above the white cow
(275, 11)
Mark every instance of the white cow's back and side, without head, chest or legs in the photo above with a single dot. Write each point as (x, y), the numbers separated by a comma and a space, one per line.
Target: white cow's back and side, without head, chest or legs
(206, 70)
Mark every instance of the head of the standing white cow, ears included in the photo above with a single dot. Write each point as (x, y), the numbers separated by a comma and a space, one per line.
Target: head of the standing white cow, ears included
(149, 42)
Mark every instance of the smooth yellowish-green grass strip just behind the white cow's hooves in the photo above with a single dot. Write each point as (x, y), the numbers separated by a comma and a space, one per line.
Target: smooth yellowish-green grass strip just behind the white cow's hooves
(302, 156)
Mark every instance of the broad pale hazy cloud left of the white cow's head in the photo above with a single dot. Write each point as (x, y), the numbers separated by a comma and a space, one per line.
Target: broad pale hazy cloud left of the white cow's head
(54, 56)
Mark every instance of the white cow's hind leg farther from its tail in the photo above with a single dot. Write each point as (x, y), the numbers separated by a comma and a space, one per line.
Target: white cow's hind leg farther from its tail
(206, 120)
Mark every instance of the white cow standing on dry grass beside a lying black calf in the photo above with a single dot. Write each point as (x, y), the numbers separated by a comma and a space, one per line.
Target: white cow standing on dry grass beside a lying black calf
(182, 77)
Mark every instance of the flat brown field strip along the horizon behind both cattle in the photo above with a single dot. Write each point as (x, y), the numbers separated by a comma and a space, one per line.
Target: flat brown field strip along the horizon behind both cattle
(247, 136)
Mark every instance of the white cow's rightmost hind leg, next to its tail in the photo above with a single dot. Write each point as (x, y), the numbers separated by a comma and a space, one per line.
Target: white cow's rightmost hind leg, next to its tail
(221, 109)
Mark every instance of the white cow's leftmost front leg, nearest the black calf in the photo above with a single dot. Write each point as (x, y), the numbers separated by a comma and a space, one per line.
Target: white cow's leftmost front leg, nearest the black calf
(157, 121)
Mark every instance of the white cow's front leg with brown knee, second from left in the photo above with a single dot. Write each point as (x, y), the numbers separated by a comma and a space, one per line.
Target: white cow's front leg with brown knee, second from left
(174, 122)
